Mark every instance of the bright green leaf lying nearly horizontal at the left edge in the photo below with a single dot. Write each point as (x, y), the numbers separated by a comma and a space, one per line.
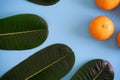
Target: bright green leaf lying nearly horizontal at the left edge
(23, 31)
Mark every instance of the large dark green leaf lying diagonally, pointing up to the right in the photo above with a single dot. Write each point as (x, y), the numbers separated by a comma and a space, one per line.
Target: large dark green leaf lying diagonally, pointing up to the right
(51, 63)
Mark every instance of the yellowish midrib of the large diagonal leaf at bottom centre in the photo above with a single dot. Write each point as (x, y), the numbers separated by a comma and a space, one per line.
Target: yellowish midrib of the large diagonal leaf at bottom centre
(45, 67)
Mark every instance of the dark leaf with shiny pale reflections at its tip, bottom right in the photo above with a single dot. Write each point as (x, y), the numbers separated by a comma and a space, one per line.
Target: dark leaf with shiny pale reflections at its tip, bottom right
(97, 69)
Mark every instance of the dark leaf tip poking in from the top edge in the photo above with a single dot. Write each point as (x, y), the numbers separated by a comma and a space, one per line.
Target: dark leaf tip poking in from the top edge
(44, 2)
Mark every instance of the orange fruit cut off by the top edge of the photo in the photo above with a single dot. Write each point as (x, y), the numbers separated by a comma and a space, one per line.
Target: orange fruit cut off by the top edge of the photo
(107, 4)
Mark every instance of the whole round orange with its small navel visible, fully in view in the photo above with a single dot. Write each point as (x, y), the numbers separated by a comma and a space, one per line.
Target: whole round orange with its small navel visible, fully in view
(101, 28)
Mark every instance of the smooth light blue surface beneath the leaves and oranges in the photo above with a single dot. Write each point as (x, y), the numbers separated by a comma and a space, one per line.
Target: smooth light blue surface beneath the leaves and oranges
(68, 22)
